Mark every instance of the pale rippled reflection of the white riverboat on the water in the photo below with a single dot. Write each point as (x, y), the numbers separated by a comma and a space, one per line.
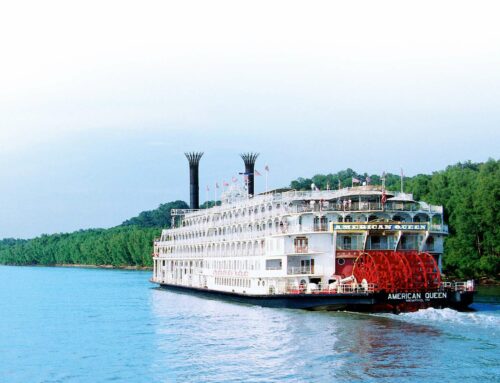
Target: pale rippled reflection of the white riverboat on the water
(207, 340)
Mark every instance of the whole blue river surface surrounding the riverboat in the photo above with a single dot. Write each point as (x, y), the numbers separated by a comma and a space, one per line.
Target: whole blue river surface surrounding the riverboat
(86, 325)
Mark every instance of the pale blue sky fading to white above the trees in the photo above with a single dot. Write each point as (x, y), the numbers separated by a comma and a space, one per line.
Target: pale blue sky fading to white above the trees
(100, 99)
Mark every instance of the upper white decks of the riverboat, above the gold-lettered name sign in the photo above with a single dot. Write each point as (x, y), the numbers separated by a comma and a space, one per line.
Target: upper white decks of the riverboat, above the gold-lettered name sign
(239, 217)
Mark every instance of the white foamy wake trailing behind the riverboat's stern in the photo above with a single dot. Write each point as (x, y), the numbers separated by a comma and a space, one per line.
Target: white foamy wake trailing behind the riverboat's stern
(448, 316)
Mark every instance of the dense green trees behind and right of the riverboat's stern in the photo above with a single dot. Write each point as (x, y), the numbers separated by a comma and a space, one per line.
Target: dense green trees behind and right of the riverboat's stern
(470, 195)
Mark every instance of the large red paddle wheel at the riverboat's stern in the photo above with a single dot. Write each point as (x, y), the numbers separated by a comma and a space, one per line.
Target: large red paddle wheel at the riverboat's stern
(397, 270)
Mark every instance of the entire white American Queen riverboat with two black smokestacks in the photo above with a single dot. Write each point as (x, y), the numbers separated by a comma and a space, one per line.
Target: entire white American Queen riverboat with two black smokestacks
(360, 248)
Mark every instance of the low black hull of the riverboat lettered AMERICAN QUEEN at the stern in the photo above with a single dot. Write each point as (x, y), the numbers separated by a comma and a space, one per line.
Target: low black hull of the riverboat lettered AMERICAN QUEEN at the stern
(360, 302)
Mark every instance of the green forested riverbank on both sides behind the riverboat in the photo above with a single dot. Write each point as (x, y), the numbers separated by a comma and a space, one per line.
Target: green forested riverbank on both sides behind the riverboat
(469, 192)
